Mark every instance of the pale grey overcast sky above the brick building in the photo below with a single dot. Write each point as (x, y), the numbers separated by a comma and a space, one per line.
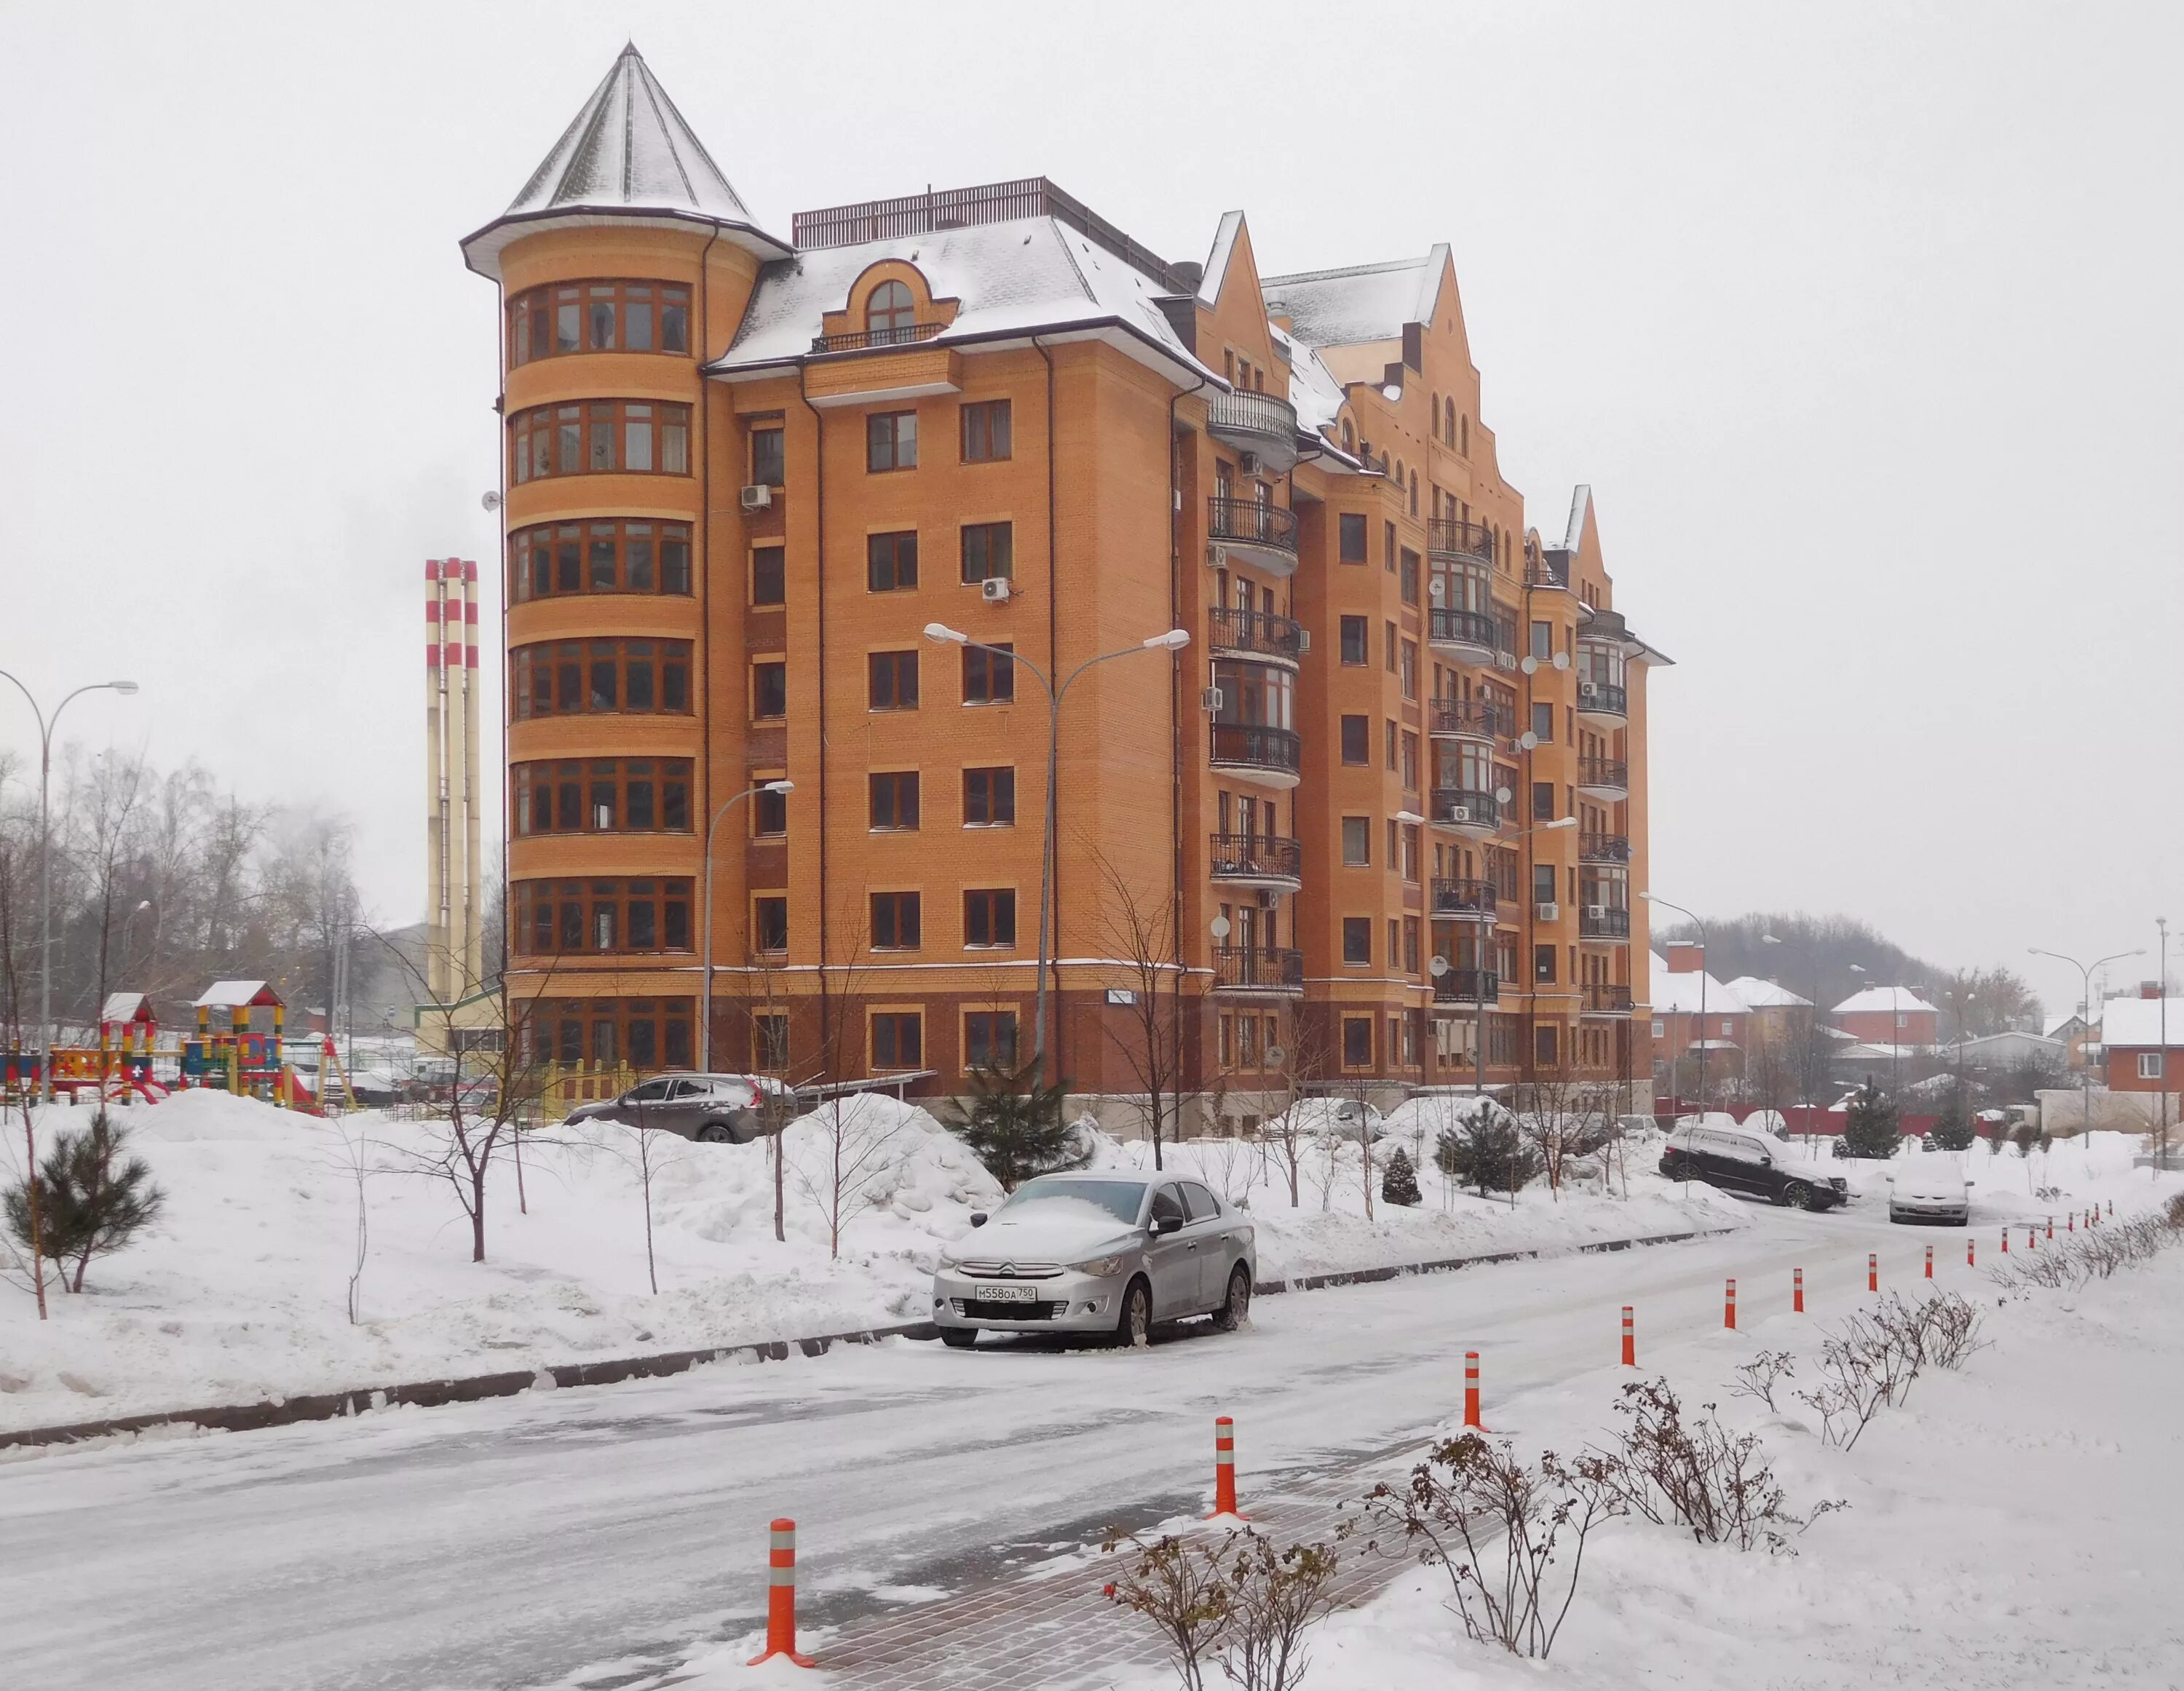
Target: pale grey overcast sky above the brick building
(1862, 320)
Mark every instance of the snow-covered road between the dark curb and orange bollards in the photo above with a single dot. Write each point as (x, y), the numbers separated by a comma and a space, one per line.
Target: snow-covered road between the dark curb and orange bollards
(517, 1544)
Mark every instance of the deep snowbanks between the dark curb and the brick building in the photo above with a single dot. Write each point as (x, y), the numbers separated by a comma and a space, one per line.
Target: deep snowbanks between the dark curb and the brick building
(241, 1290)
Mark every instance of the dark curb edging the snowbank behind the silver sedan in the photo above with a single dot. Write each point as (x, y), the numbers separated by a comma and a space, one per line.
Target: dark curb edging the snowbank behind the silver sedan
(473, 1388)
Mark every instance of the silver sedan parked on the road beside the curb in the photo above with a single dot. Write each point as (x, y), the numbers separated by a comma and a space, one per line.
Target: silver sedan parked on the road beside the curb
(1106, 1253)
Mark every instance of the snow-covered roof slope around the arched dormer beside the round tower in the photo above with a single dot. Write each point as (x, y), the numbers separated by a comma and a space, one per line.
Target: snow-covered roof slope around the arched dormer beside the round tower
(1010, 279)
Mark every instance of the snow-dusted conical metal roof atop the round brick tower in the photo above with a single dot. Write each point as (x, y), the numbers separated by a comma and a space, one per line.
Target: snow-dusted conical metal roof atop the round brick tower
(628, 156)
